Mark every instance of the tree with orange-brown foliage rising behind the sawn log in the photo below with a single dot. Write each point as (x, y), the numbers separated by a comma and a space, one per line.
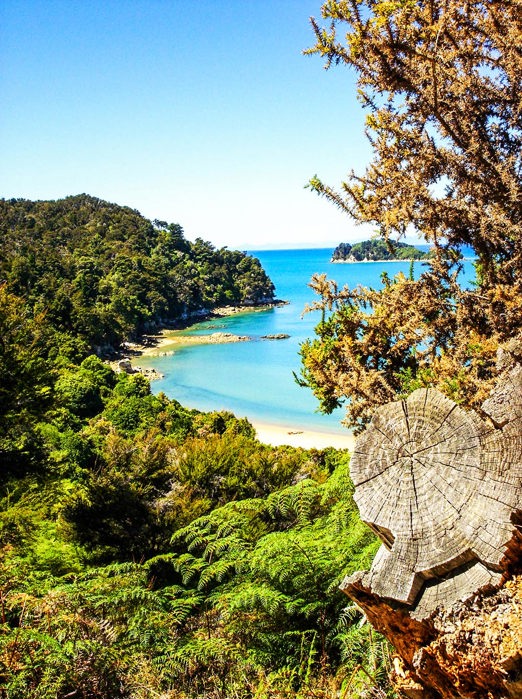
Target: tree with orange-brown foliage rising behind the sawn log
(439, 80)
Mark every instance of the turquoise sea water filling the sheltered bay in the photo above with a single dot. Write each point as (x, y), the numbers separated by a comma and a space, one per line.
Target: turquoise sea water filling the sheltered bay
(255, 379)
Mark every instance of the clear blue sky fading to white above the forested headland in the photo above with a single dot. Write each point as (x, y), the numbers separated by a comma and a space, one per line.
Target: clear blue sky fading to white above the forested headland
(203, 113)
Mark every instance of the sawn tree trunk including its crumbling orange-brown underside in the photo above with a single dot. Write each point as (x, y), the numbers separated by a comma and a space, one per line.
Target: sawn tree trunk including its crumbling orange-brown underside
(442, 488)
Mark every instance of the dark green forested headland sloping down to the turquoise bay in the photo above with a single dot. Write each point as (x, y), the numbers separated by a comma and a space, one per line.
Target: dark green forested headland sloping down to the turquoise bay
(103, 273)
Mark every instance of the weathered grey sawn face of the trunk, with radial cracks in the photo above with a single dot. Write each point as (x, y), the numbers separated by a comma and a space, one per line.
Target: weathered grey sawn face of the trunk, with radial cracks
(439, 486)
